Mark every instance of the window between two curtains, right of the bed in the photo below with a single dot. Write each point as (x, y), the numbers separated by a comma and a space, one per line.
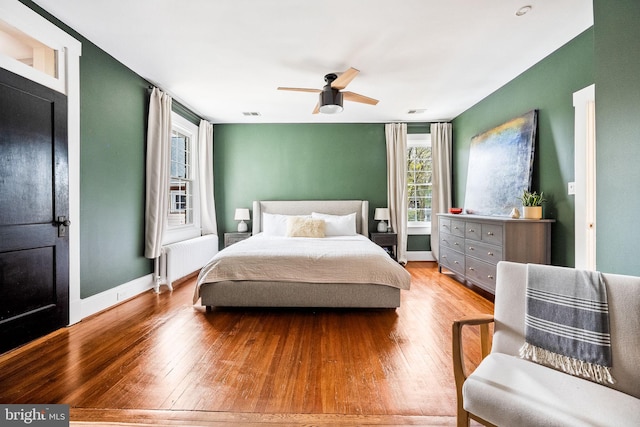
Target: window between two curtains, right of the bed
(419, 173)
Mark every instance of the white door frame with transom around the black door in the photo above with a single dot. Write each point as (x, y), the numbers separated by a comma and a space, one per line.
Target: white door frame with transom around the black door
(68, 83)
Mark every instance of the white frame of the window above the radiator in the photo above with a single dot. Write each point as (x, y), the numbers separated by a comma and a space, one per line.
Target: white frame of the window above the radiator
(181, 232)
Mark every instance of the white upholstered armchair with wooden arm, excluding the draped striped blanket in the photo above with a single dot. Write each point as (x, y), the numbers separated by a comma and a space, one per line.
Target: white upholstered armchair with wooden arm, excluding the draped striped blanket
(505, 390)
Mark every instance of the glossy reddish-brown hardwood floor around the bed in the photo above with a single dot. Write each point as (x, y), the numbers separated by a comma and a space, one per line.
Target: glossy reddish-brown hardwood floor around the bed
(159, 360)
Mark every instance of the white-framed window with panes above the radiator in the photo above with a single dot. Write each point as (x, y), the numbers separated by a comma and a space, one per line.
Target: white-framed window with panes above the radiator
(183, 219)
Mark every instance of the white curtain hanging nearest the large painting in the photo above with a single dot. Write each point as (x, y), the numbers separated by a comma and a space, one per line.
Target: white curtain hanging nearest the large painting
(441, 178)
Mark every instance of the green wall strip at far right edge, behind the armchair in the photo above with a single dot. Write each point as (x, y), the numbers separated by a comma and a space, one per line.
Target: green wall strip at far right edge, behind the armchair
(617, 77)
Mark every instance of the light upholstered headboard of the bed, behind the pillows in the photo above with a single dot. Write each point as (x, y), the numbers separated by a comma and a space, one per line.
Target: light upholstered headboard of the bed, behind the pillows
(306, 207)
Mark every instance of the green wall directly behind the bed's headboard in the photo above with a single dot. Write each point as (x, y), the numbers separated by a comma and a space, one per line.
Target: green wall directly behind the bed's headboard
(297, 161)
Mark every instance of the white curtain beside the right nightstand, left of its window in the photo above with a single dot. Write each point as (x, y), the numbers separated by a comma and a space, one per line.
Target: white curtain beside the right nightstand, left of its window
(396, 137)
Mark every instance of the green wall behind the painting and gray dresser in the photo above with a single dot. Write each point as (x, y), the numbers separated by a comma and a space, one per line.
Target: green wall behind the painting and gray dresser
(547, 86)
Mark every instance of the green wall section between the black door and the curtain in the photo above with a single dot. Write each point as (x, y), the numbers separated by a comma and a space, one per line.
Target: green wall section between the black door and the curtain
(113, 113)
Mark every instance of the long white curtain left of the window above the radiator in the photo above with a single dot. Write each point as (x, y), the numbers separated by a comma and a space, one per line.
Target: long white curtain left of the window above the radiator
(158, 157)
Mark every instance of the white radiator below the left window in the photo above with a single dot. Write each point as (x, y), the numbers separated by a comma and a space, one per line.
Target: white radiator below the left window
(180, 259)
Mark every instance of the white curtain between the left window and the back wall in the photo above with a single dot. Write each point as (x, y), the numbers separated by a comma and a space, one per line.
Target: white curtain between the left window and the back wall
(205, 170)
